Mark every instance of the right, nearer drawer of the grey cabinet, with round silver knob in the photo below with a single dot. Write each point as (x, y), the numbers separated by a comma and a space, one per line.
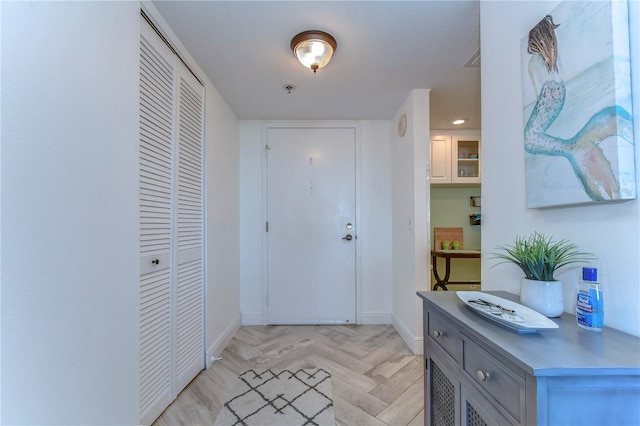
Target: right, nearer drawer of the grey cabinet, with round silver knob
(500, 383)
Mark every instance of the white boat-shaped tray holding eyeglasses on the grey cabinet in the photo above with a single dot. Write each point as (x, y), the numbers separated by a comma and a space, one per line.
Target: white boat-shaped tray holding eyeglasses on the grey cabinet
(510, 314)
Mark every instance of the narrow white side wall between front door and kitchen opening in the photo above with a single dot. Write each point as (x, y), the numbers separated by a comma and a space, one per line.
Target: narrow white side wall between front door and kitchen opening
(410, 213)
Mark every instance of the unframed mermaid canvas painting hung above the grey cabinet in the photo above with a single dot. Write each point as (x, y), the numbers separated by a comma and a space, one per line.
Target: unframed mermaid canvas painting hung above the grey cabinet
(576, 87)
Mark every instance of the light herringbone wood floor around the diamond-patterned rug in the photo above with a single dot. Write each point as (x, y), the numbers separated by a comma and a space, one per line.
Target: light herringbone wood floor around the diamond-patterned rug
(376, 378)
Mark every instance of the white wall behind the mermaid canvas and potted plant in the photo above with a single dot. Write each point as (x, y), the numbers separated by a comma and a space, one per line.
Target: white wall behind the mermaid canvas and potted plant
(610, 230)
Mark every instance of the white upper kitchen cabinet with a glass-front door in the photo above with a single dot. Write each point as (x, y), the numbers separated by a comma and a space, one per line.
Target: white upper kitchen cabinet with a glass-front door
(455, 157)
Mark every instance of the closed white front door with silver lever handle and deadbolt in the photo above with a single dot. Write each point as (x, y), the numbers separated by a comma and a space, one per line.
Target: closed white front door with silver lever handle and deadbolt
(311, 238)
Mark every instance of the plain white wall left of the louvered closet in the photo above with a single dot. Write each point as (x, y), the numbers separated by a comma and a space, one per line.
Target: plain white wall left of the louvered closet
(70, 262)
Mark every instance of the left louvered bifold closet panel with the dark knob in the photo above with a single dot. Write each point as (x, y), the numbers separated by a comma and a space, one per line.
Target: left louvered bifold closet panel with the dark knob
(156, 158)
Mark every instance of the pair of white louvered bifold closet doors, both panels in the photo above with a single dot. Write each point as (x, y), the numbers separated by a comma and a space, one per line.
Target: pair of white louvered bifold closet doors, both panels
(171, 226)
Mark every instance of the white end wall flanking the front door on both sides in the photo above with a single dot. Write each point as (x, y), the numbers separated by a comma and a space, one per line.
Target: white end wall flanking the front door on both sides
(374, 235)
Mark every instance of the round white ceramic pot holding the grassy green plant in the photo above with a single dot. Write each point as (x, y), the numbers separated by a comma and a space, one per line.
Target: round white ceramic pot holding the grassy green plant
(542, 296)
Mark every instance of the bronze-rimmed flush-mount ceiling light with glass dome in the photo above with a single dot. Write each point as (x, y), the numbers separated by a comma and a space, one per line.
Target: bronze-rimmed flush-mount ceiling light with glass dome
(313, 48)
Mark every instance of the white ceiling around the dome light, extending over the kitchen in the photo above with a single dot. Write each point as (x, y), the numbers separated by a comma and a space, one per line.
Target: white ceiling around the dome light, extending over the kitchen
(385, 49)
